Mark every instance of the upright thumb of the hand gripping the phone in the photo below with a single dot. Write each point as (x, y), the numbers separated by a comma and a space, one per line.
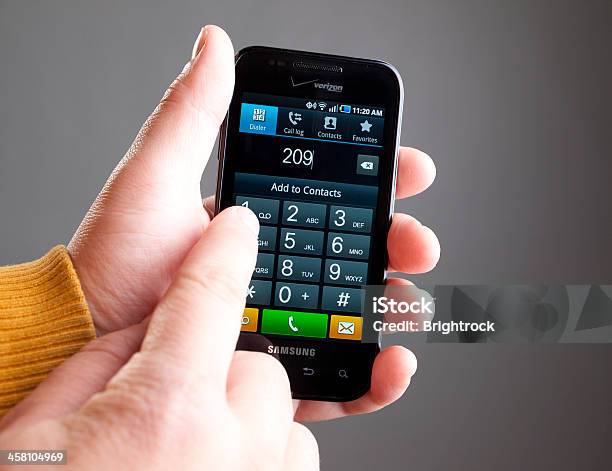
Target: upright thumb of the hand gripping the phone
(174, 144)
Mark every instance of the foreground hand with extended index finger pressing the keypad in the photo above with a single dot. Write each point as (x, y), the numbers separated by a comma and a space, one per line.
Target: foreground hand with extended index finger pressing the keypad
(185, 400)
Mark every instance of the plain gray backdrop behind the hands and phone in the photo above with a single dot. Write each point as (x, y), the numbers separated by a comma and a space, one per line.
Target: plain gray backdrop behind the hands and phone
(512, 99)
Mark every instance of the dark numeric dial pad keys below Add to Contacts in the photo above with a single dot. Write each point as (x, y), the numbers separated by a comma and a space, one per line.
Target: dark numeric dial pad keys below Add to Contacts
(319, 254)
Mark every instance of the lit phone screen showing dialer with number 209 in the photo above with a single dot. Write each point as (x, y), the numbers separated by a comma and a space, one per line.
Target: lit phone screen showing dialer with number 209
(316, 209)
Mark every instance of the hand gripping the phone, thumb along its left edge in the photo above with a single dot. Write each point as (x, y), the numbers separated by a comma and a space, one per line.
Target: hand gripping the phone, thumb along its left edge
(149, 215)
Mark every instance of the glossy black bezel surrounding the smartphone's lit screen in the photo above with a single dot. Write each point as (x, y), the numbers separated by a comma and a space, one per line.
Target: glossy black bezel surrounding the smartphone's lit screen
(268, 71)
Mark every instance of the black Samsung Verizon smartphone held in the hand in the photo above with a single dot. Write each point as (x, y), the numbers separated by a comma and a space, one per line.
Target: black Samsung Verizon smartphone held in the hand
(310, 145)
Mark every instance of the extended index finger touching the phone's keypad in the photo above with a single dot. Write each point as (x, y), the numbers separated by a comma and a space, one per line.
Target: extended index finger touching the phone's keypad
(197, 323)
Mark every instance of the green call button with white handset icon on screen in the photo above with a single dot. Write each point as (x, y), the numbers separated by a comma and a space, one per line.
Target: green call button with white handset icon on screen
(302, 324)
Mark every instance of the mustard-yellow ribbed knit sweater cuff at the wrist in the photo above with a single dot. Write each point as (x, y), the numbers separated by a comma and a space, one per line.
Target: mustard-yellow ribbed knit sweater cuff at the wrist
(43, 320)
